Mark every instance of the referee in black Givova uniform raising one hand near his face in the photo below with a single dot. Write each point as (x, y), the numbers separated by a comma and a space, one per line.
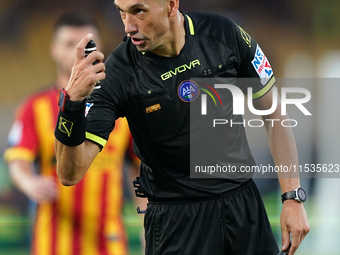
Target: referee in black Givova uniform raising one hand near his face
(146, 80)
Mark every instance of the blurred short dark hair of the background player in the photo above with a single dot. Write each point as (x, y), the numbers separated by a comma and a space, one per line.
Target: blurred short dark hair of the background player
(75, 19)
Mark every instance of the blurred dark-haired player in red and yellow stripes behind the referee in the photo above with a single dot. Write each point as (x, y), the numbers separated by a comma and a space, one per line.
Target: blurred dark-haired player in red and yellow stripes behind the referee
(86, 218)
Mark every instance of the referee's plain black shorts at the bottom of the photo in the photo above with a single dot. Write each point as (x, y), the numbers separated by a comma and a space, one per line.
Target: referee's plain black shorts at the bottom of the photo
(234, 224)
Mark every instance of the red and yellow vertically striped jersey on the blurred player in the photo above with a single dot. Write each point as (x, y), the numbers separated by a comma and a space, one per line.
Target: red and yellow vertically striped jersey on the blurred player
(86, 218)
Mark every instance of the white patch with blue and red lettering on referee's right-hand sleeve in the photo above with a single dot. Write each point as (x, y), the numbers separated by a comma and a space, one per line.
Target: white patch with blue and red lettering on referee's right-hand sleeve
(262, 66)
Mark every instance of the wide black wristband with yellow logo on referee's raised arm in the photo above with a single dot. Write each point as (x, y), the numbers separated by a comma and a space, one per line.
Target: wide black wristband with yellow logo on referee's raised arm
(71, 126)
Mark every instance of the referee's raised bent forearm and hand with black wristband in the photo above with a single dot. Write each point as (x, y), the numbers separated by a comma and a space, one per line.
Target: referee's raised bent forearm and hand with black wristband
(73, 161)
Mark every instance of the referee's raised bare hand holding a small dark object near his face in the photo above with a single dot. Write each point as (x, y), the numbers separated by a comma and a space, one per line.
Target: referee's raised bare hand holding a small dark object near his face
(84, 75)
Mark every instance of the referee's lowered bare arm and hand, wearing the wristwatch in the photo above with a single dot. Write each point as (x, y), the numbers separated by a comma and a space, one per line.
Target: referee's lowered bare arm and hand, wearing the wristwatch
(282, 145)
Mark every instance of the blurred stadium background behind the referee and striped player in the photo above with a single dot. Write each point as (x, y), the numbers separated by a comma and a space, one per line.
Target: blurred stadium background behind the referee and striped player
(300, 38)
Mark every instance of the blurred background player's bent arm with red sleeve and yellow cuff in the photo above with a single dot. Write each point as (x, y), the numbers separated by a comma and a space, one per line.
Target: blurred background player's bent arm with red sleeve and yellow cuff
(20, 156)
